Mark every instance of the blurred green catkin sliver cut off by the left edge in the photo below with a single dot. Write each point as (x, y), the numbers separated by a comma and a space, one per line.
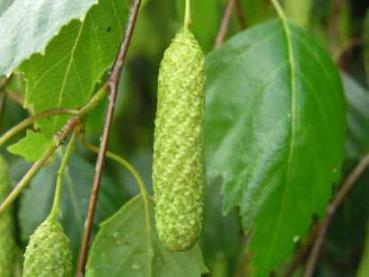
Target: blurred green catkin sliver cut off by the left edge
(7, 240)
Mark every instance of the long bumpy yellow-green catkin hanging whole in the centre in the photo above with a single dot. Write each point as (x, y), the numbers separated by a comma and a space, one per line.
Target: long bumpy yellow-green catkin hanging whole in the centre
(178, 168)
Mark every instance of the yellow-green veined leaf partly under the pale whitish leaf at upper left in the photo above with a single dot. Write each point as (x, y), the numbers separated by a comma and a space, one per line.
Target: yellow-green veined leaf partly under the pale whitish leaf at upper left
(74, 62)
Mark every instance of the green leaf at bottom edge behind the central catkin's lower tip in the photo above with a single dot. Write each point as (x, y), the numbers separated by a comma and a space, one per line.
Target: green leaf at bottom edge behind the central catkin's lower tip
(127, 245)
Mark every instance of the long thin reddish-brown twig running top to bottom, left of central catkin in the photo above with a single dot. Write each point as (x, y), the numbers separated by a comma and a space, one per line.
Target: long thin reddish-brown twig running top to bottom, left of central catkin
(113, 83)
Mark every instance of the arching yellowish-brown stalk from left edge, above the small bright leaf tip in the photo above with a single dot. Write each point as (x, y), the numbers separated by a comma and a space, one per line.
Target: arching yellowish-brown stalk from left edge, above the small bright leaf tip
(32, 119)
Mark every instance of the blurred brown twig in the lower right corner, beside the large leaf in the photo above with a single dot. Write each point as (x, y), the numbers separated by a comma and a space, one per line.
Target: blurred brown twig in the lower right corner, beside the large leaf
(331, 210)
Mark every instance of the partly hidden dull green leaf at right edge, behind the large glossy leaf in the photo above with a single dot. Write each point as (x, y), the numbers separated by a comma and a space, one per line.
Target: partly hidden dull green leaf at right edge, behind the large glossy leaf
(358, 118)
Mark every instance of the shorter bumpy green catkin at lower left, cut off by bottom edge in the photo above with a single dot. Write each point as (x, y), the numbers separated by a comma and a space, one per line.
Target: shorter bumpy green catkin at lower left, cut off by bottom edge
(48, 252)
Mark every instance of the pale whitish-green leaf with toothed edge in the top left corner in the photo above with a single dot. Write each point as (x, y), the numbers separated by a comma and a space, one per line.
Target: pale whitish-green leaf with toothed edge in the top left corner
(26, 27)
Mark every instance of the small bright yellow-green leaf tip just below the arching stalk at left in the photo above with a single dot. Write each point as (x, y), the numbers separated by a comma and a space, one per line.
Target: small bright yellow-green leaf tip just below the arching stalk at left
(31, 147)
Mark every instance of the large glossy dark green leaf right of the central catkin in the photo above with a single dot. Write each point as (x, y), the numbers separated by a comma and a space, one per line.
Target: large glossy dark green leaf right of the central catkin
(275, 133)
